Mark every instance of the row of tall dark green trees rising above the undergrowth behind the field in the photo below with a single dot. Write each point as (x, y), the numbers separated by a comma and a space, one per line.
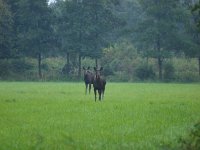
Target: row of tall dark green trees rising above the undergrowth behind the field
(78, 29)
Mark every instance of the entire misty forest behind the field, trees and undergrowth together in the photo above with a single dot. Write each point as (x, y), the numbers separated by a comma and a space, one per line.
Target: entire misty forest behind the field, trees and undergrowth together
(133, 40)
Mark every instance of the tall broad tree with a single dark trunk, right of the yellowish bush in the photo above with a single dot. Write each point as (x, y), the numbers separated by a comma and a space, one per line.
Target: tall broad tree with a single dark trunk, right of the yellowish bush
(159, 29)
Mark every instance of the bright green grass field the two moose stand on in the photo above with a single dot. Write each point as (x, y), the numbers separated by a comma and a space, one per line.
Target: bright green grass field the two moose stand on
(57, 116)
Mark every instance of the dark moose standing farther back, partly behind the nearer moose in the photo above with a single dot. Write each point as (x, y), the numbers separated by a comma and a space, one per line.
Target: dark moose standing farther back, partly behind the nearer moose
(88, 78)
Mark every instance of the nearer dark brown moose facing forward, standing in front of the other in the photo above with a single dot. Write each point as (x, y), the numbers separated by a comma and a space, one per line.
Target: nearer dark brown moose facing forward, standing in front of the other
(99, 83)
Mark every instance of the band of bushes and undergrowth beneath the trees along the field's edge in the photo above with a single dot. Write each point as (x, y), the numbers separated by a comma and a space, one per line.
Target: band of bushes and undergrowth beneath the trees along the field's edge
(127, 66)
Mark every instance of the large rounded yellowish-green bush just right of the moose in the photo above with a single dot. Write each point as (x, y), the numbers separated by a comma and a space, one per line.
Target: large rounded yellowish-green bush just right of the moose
(120, 60)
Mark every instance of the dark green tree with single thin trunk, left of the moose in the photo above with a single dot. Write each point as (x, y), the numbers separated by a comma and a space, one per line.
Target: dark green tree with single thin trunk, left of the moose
(35, 30)
